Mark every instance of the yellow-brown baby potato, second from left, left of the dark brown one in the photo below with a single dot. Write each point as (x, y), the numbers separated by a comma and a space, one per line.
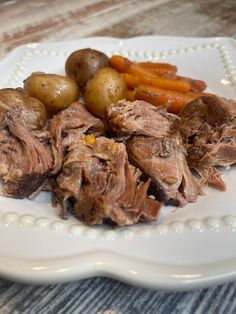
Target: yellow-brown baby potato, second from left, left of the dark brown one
(56, 91)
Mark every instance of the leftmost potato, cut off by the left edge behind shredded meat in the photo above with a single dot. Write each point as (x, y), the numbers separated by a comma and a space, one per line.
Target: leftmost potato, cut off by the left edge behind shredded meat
(32, 110)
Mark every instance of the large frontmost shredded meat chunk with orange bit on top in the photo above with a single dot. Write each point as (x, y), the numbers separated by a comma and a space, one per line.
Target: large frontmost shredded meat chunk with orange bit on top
(97, 185)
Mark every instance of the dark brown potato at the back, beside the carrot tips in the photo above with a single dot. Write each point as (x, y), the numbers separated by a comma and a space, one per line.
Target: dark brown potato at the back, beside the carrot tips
(81, 65)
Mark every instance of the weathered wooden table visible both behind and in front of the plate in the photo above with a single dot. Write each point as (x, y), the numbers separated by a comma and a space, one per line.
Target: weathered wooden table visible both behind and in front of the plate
(23, 21)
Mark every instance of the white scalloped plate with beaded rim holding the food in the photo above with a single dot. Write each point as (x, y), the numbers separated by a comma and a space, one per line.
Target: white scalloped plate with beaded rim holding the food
(187, 248)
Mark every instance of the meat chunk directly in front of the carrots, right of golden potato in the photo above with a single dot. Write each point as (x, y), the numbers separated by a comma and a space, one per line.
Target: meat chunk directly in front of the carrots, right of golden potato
(125, 119)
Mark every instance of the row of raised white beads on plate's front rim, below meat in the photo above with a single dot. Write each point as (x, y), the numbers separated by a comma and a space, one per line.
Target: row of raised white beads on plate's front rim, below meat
(28, 220)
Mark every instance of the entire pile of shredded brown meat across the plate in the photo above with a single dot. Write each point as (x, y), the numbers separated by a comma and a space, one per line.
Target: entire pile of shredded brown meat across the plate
(93, 177)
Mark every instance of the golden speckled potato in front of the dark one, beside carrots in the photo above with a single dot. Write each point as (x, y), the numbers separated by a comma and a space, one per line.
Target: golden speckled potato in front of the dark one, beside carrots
(106, 87)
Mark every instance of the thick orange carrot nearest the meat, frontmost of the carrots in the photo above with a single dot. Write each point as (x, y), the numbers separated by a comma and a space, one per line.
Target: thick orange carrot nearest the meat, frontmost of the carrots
(157, 96)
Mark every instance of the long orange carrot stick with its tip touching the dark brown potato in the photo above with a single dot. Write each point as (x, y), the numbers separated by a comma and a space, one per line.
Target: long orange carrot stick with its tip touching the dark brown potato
(143, 76)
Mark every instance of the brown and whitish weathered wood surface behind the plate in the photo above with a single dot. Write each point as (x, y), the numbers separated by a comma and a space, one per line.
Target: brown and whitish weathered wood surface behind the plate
(26, 21)
